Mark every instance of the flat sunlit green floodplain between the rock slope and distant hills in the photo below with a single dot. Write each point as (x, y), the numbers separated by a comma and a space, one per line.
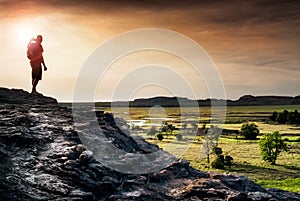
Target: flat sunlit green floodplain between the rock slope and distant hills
(246, 155)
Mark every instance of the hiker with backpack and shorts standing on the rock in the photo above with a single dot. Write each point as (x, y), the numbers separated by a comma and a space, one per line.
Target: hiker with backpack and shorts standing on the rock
(35, 54)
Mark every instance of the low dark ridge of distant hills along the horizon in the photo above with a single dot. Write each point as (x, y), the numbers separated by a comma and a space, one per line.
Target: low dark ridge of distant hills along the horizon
(247, 100)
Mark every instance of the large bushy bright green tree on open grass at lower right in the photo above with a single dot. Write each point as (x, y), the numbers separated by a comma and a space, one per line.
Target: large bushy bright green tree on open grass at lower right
(270, 146)
